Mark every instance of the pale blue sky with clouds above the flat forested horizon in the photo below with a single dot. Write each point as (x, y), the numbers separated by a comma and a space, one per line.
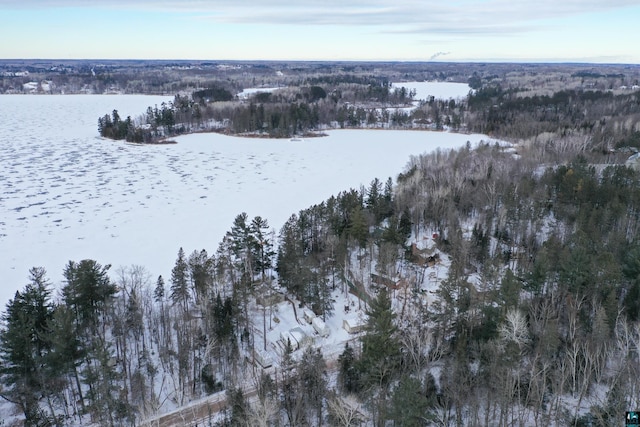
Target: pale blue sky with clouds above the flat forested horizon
(593, 31)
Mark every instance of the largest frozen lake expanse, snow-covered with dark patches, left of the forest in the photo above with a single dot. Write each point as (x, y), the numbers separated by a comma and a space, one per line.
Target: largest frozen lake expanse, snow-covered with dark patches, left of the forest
(66, 194)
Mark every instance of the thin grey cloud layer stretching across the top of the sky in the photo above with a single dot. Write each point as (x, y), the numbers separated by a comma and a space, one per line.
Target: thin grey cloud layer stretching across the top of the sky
(454, 17)
